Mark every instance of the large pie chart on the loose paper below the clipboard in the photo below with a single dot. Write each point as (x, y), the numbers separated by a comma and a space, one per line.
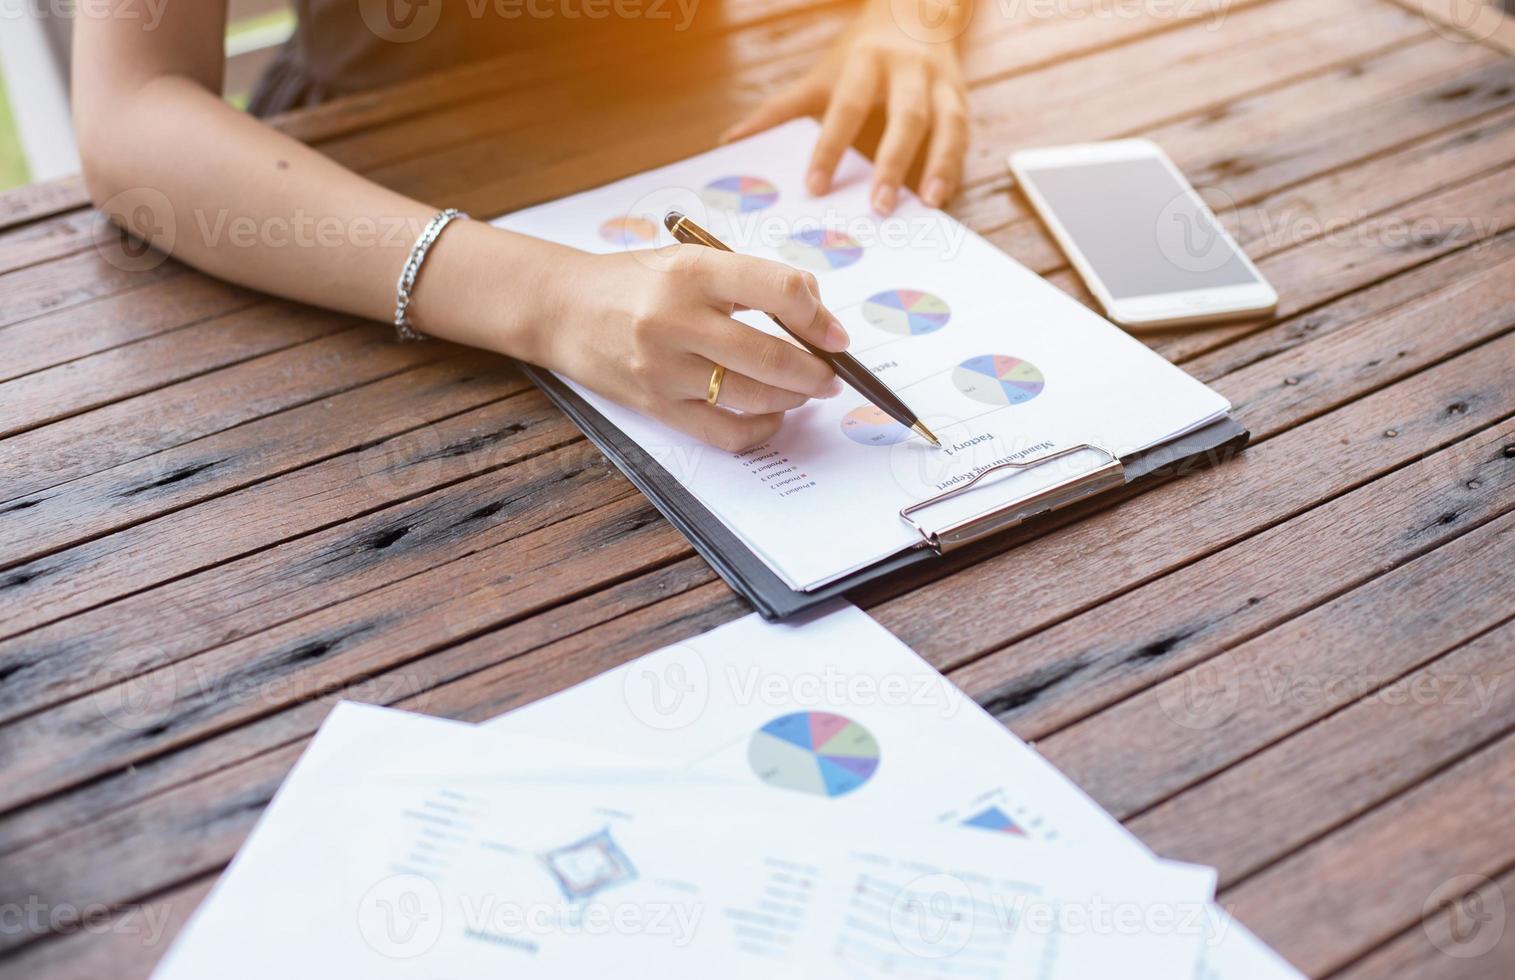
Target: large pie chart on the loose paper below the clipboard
(814, 752)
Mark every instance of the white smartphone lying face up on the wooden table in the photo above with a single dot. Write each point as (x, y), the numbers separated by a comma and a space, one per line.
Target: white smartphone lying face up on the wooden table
(1146, 243)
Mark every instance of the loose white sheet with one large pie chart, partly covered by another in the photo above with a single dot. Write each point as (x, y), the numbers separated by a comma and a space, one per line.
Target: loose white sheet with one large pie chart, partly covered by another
(943, 760)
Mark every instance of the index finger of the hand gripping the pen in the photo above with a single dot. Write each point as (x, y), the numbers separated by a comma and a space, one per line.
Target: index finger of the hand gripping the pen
(776, 289)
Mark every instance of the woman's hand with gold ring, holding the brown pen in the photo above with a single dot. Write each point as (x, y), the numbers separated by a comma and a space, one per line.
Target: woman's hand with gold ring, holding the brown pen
(655, 325)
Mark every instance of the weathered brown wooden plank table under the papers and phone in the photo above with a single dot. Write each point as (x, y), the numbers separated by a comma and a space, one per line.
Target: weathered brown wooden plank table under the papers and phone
(222, 513)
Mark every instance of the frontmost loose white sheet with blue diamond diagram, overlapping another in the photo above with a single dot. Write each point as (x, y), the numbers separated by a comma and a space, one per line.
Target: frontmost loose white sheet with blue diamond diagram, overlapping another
(404, 846)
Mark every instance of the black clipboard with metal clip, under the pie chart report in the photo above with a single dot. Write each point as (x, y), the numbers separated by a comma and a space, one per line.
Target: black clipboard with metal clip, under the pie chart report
(773, 599)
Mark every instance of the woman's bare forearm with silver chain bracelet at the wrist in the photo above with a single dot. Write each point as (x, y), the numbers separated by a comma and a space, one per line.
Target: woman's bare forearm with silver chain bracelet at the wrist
(254, 207)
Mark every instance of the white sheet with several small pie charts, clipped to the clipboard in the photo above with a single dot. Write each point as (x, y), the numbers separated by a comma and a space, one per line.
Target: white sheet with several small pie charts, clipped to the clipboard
(934, 311)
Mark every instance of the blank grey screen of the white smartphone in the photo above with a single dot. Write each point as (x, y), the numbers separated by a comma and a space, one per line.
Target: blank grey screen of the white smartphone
(1140, 228)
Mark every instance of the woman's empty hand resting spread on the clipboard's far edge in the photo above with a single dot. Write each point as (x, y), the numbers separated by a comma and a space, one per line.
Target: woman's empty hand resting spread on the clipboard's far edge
(908, 67)
